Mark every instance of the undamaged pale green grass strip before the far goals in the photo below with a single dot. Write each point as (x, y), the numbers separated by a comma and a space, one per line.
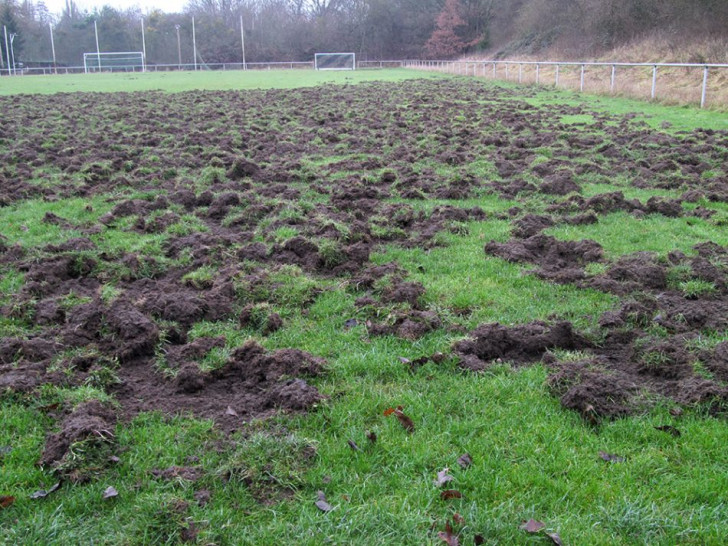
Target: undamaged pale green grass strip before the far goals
(172, 82)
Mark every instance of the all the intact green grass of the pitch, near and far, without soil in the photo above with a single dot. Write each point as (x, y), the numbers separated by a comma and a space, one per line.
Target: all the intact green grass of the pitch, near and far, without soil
(531, 458)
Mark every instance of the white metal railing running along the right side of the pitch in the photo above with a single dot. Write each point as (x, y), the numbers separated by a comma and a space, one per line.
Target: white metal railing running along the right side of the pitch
(490, 68)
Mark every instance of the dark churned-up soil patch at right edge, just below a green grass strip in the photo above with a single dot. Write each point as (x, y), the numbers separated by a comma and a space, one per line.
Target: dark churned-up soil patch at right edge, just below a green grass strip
(648, 348)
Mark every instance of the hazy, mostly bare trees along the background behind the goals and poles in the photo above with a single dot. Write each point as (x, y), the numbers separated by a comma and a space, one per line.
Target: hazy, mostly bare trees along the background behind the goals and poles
(293, 30)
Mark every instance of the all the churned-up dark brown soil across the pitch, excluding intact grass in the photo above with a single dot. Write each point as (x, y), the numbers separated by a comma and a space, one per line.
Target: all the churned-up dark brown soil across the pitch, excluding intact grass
(339, 170)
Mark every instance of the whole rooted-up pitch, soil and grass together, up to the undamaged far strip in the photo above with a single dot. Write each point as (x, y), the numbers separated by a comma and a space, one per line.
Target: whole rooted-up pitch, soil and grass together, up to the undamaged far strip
(405, 312)
